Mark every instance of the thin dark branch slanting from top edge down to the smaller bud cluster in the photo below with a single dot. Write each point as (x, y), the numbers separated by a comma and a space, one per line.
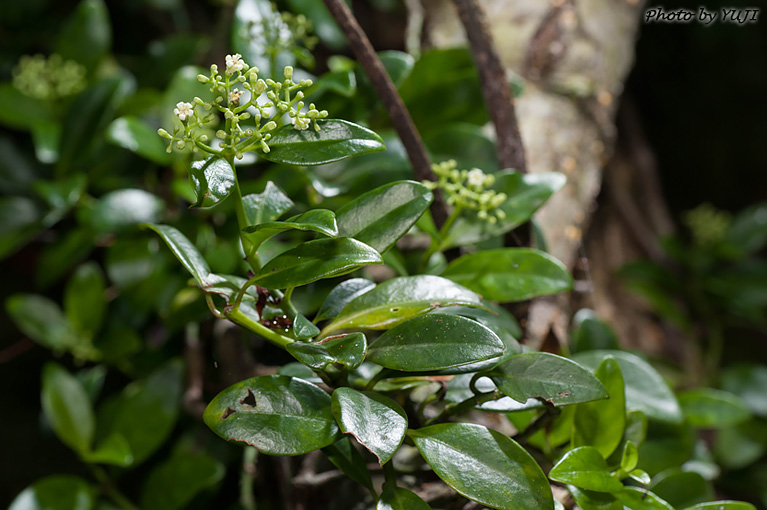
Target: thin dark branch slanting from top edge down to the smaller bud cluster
(395, 108)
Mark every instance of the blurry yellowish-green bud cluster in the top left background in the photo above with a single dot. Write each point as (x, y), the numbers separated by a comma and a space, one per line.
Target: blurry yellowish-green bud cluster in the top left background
(48, 78)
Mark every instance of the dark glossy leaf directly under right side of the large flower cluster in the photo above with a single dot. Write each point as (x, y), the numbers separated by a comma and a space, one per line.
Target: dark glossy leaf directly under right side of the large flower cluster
(336, 140)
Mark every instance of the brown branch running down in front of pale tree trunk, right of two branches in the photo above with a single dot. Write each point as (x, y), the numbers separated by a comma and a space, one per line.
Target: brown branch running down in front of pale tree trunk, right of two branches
(495, 87)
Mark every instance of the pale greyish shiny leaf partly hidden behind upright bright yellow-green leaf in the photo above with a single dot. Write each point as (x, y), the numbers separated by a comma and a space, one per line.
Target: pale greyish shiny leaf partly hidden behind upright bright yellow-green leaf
(646, 390)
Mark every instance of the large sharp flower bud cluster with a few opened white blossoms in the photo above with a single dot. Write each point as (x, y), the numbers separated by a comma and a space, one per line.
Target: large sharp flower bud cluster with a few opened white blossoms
(251, 107)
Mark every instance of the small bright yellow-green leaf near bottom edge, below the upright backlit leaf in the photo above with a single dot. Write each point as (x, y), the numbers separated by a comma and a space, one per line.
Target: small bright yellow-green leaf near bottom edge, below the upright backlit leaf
(585, 467)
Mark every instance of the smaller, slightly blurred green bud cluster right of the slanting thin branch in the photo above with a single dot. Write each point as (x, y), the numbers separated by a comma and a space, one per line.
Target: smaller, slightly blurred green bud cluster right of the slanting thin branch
(469, 189)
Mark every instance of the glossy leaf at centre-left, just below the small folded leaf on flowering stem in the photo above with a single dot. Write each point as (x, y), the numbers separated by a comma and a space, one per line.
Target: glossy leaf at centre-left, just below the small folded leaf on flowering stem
(313, 260)
